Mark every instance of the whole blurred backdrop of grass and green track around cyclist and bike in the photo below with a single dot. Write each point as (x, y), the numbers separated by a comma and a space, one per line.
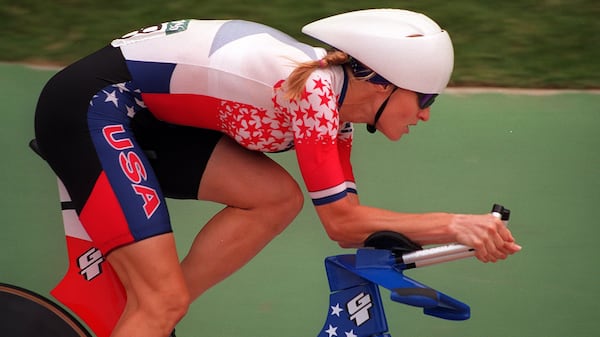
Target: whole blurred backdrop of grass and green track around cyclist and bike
(534, 151)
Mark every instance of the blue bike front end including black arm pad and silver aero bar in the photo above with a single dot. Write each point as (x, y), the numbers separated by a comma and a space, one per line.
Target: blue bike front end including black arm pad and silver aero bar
(355, 305)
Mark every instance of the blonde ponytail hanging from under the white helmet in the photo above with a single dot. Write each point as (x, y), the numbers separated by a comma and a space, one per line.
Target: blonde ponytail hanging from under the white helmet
(294, 85)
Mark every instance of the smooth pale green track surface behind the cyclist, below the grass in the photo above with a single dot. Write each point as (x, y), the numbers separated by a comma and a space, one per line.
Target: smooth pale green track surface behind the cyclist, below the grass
(537, 155)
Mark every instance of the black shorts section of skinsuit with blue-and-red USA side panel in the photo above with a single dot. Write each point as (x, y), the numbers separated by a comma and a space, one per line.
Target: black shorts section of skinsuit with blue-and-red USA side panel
(116, 160)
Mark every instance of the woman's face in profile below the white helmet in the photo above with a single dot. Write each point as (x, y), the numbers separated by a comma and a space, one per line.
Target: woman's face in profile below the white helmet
(401, 112)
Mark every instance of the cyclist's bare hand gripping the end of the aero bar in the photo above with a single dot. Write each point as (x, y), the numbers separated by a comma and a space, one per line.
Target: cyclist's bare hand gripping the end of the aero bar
(487, 234)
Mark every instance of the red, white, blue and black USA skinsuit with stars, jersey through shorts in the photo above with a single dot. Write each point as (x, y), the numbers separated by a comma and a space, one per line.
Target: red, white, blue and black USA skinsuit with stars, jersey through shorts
(119, 127)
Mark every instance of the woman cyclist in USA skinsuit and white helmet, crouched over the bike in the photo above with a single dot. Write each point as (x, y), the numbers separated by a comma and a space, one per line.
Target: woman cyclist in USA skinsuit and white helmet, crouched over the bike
(187, 109)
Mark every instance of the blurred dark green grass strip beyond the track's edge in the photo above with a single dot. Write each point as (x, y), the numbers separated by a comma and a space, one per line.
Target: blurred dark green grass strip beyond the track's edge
(526, 43)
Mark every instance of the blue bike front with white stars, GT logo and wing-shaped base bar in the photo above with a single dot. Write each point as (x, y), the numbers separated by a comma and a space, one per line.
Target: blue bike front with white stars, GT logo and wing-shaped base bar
(354, 281)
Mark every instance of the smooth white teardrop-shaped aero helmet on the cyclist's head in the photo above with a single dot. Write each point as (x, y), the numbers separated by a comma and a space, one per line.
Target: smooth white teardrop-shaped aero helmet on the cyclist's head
(406, 48)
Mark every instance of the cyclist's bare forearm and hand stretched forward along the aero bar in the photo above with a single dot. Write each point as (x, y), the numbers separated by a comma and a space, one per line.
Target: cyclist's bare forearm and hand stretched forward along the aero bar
(350, 223)
